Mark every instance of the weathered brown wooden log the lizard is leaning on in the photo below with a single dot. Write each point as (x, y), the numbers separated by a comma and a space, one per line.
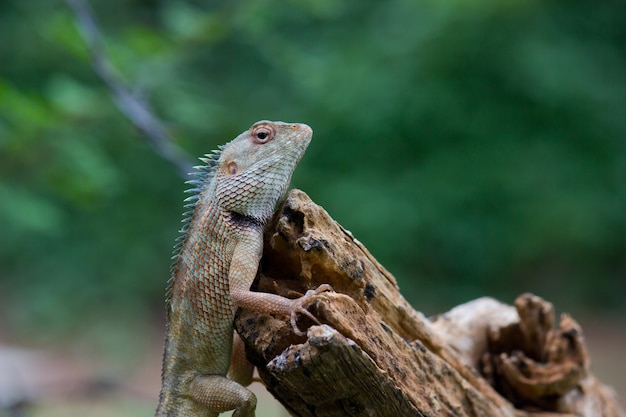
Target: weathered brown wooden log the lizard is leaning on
(376, 356)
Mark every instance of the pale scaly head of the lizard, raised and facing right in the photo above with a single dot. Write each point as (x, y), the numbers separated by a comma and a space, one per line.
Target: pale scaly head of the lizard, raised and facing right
(254, 169)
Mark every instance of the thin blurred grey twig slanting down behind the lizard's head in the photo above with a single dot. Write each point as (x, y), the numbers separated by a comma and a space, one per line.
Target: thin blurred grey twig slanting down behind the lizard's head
(136, 110)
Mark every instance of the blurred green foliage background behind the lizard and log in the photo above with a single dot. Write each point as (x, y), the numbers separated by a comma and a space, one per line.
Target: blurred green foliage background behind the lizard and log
(477, 148)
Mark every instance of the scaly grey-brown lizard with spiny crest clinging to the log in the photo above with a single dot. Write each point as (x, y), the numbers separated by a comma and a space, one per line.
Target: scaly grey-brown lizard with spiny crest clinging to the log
(234, 195)
